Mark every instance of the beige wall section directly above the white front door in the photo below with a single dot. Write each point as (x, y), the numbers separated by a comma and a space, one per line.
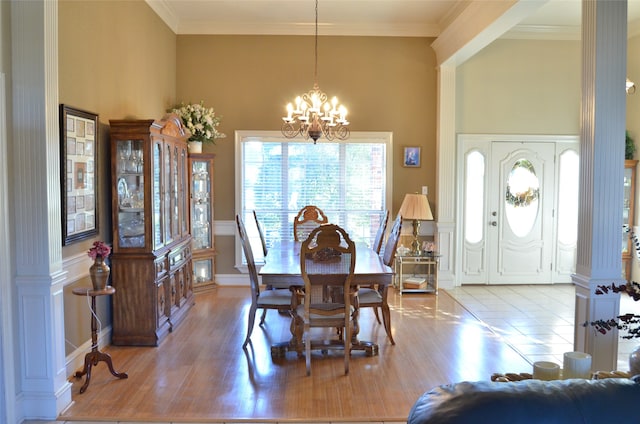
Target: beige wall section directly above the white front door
(521, 87)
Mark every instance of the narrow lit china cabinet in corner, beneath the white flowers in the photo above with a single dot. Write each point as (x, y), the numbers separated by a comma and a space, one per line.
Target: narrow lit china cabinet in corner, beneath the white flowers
(202, 231)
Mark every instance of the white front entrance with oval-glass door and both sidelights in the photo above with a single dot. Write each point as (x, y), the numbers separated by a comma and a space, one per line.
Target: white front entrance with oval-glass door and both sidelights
(518, 214)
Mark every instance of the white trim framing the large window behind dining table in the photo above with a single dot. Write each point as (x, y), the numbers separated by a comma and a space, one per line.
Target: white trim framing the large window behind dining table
(241, 136)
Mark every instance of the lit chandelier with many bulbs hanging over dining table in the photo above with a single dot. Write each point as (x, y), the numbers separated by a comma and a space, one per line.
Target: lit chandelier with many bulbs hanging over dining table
(313, 115)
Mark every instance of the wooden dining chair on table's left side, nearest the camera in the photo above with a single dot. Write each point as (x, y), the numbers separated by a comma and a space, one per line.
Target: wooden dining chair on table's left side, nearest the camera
(278, 299)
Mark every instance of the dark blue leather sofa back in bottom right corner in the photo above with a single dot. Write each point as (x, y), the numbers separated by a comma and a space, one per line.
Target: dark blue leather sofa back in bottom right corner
(608, 401)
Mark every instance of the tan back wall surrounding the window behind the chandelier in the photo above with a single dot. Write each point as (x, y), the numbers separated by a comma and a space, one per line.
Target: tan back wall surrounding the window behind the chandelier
(388, 84)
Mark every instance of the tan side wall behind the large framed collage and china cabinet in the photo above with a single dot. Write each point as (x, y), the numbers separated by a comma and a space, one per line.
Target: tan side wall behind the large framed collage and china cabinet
(116, 59)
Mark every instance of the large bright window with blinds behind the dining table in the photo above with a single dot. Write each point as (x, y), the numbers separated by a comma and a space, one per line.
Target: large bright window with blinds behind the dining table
(349, 180)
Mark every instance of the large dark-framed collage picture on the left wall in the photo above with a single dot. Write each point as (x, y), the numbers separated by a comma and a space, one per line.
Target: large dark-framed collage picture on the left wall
(78, 154)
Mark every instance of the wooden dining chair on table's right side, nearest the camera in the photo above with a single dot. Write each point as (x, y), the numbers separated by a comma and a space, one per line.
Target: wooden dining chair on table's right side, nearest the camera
(376, 296)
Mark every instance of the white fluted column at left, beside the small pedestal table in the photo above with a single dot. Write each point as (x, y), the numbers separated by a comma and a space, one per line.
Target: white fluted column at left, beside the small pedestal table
(35, 151)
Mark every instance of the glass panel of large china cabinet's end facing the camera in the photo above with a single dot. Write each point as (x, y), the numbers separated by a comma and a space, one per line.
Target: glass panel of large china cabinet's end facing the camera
(130, 185)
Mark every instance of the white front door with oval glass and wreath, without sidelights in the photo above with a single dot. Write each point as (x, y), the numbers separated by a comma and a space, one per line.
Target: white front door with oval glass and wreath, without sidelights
(520, 204)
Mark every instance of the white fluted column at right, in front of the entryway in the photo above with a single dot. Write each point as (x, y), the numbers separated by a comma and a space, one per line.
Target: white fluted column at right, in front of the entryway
(602, 134)
